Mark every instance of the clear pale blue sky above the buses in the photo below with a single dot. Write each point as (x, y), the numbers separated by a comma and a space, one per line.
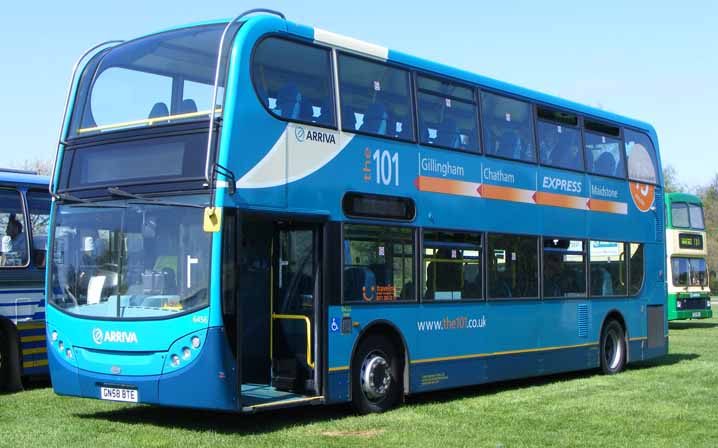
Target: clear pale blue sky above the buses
(656, 61)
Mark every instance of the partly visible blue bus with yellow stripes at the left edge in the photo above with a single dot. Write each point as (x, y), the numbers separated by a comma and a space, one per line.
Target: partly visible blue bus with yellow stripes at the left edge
(24, 220)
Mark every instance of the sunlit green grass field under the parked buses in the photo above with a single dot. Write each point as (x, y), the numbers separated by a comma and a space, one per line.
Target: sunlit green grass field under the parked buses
(672, 401)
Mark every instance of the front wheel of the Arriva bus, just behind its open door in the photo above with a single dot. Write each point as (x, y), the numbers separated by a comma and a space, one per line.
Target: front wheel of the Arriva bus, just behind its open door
(376, 375)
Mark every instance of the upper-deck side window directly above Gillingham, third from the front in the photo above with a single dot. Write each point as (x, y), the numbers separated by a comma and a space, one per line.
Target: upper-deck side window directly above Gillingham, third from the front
(448, 114)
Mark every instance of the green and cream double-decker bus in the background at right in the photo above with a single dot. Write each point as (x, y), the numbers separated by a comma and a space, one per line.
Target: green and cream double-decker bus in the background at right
(688, 292)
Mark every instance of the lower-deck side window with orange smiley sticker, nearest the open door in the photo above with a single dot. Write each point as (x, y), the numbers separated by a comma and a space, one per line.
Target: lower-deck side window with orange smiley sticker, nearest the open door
(378, 264)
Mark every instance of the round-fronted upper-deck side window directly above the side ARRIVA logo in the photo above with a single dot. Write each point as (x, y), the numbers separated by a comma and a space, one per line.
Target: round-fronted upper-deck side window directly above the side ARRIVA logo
(294, 81)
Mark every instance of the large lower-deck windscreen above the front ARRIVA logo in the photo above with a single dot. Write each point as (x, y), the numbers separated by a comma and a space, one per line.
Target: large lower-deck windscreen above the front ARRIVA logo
(130, 261)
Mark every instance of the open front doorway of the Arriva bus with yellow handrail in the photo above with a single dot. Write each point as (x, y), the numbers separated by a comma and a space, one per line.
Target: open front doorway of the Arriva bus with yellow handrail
(278, 303)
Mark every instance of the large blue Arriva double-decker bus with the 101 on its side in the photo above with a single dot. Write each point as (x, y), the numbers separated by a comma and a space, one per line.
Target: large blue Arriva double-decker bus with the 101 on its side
(254, 214)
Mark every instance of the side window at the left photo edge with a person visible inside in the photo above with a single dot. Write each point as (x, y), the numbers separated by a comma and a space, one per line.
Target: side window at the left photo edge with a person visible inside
(13, 234)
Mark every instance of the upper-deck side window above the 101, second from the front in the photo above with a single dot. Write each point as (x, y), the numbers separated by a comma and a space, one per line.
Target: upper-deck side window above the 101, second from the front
(375, 98)
